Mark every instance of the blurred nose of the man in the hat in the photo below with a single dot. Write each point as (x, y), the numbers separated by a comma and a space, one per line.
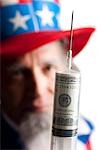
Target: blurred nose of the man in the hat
(40, 89)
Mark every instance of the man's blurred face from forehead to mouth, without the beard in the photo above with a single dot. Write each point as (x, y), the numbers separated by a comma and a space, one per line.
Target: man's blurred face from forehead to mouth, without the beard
(28, 82)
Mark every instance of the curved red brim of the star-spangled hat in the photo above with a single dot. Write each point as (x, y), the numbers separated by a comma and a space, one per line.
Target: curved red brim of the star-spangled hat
(24, 43)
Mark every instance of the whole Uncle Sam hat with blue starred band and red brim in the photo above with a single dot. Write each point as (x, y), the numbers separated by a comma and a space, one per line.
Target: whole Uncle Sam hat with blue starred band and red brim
(28, 24)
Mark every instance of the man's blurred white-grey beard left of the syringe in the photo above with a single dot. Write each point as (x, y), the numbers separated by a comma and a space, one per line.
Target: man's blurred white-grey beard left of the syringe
(36, 131)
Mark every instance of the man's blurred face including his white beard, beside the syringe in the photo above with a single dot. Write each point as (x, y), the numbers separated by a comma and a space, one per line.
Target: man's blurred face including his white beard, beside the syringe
(28, 92)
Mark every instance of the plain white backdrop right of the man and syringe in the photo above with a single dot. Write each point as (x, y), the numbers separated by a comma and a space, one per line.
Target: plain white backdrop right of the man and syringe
(86, 13)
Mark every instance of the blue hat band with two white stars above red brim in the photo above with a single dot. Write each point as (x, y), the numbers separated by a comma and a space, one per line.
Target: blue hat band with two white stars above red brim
(29, 17)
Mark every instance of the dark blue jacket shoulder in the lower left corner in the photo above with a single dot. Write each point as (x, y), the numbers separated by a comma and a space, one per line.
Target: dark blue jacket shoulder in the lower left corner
(10, 139)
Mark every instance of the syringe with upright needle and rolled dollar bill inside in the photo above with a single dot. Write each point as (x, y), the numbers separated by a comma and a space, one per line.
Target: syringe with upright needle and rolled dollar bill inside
(66, 105)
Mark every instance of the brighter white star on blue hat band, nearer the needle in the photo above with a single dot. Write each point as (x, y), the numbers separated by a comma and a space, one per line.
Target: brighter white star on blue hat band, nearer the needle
(46, 16)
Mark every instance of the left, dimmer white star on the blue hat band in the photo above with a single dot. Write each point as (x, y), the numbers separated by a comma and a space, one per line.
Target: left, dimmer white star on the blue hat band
(19, 21)
